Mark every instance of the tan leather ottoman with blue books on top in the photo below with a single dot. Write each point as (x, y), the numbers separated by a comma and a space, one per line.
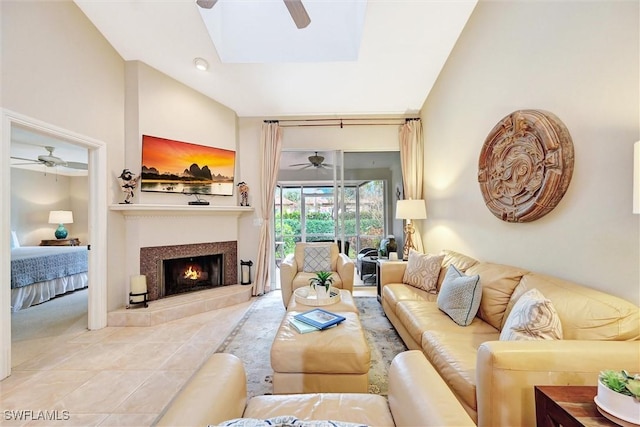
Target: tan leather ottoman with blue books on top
(335, 360)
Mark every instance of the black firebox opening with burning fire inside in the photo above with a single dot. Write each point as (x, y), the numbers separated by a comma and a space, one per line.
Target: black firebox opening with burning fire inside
(190, 274)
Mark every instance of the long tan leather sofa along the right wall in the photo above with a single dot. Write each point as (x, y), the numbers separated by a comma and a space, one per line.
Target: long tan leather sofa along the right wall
(493, 380)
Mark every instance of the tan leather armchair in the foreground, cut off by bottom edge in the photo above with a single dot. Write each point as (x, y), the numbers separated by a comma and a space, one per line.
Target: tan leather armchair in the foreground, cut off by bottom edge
(417, 397)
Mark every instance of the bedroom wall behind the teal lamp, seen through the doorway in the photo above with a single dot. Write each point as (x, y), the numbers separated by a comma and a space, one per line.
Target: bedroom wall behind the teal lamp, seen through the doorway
(34, 194)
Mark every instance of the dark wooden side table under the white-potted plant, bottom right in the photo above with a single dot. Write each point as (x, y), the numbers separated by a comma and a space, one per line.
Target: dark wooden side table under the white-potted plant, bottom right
(568, 406)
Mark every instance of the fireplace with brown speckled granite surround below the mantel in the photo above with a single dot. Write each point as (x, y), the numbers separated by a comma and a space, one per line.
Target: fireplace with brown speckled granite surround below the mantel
(221, 269)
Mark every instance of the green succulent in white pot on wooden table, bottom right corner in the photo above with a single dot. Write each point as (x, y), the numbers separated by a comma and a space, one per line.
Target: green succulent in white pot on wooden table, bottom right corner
(619, 394)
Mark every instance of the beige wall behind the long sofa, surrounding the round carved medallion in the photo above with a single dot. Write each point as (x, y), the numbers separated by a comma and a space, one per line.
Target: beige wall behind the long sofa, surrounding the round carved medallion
(578, 60)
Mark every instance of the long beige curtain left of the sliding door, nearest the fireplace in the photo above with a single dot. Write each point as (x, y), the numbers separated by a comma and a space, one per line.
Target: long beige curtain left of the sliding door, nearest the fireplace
(270, 148)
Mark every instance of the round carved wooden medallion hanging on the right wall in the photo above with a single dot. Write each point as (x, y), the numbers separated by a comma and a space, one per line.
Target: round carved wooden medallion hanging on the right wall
(525, 165)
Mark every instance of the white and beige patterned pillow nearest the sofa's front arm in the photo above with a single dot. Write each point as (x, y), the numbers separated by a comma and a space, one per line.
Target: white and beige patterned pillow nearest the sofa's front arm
(532, 317)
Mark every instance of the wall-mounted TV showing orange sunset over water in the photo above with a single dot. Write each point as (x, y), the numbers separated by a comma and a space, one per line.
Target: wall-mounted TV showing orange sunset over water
(181, 167)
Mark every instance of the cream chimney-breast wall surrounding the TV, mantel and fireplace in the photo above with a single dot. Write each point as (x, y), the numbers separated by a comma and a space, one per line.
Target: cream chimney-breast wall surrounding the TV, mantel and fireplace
(160, 106)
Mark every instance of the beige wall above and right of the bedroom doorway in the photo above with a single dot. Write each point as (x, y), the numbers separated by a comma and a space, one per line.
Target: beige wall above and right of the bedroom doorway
(58, 69)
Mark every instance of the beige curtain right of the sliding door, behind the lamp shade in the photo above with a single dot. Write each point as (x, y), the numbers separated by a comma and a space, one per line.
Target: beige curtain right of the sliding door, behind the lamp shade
(412, 160)
